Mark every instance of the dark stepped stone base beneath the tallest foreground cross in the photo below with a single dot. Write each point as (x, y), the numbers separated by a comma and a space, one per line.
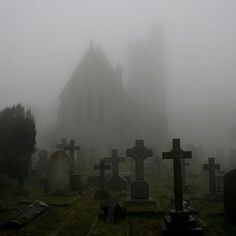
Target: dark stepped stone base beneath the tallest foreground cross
(180, 223)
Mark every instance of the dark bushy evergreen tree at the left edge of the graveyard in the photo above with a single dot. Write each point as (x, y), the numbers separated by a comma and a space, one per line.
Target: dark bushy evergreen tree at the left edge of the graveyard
(17, 141)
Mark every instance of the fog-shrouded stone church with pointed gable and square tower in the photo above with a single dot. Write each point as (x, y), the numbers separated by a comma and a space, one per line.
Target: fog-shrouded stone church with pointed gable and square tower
(100, 113)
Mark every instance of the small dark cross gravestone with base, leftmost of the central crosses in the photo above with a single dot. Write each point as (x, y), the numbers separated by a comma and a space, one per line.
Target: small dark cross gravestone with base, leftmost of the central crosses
(101, 193)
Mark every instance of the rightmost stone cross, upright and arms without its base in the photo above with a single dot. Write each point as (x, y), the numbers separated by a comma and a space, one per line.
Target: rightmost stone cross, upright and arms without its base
(211, 167)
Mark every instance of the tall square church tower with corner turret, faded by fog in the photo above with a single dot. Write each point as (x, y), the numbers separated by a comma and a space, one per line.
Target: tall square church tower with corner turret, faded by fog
(146, 85)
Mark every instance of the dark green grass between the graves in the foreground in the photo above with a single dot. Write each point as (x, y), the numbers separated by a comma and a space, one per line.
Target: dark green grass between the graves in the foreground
(80, 217)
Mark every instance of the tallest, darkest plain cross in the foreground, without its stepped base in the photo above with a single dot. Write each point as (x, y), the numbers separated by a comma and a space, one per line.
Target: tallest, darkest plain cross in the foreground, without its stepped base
(177, 154)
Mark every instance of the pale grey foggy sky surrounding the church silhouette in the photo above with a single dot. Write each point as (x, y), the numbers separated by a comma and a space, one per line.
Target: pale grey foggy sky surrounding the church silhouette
(42, 42)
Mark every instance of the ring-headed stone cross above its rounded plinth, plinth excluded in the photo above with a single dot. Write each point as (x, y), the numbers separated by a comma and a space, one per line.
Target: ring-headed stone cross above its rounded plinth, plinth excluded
(139, 153)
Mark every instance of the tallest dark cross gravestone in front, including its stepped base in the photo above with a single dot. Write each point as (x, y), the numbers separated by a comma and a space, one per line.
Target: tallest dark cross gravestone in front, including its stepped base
(179, 221)
